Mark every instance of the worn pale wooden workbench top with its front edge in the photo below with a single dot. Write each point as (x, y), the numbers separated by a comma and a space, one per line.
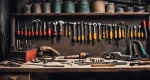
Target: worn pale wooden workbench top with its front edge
(73, 68)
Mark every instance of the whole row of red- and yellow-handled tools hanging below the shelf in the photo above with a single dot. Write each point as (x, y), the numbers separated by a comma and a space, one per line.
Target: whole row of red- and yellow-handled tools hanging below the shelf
(82, 32)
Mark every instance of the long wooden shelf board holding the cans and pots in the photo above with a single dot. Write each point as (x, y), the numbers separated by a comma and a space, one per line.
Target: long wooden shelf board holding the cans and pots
(81, 14)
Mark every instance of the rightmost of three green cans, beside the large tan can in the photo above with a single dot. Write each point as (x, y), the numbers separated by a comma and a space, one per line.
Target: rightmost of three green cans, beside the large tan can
(83, 6)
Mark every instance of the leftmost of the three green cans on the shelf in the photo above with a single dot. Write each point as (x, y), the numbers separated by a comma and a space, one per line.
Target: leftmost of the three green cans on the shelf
(56, 6)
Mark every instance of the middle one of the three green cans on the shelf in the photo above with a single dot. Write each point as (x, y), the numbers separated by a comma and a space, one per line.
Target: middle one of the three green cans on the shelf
(68, 6)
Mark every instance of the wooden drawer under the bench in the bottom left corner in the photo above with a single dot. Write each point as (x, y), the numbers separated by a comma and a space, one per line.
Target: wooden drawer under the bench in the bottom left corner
(13, 76)
